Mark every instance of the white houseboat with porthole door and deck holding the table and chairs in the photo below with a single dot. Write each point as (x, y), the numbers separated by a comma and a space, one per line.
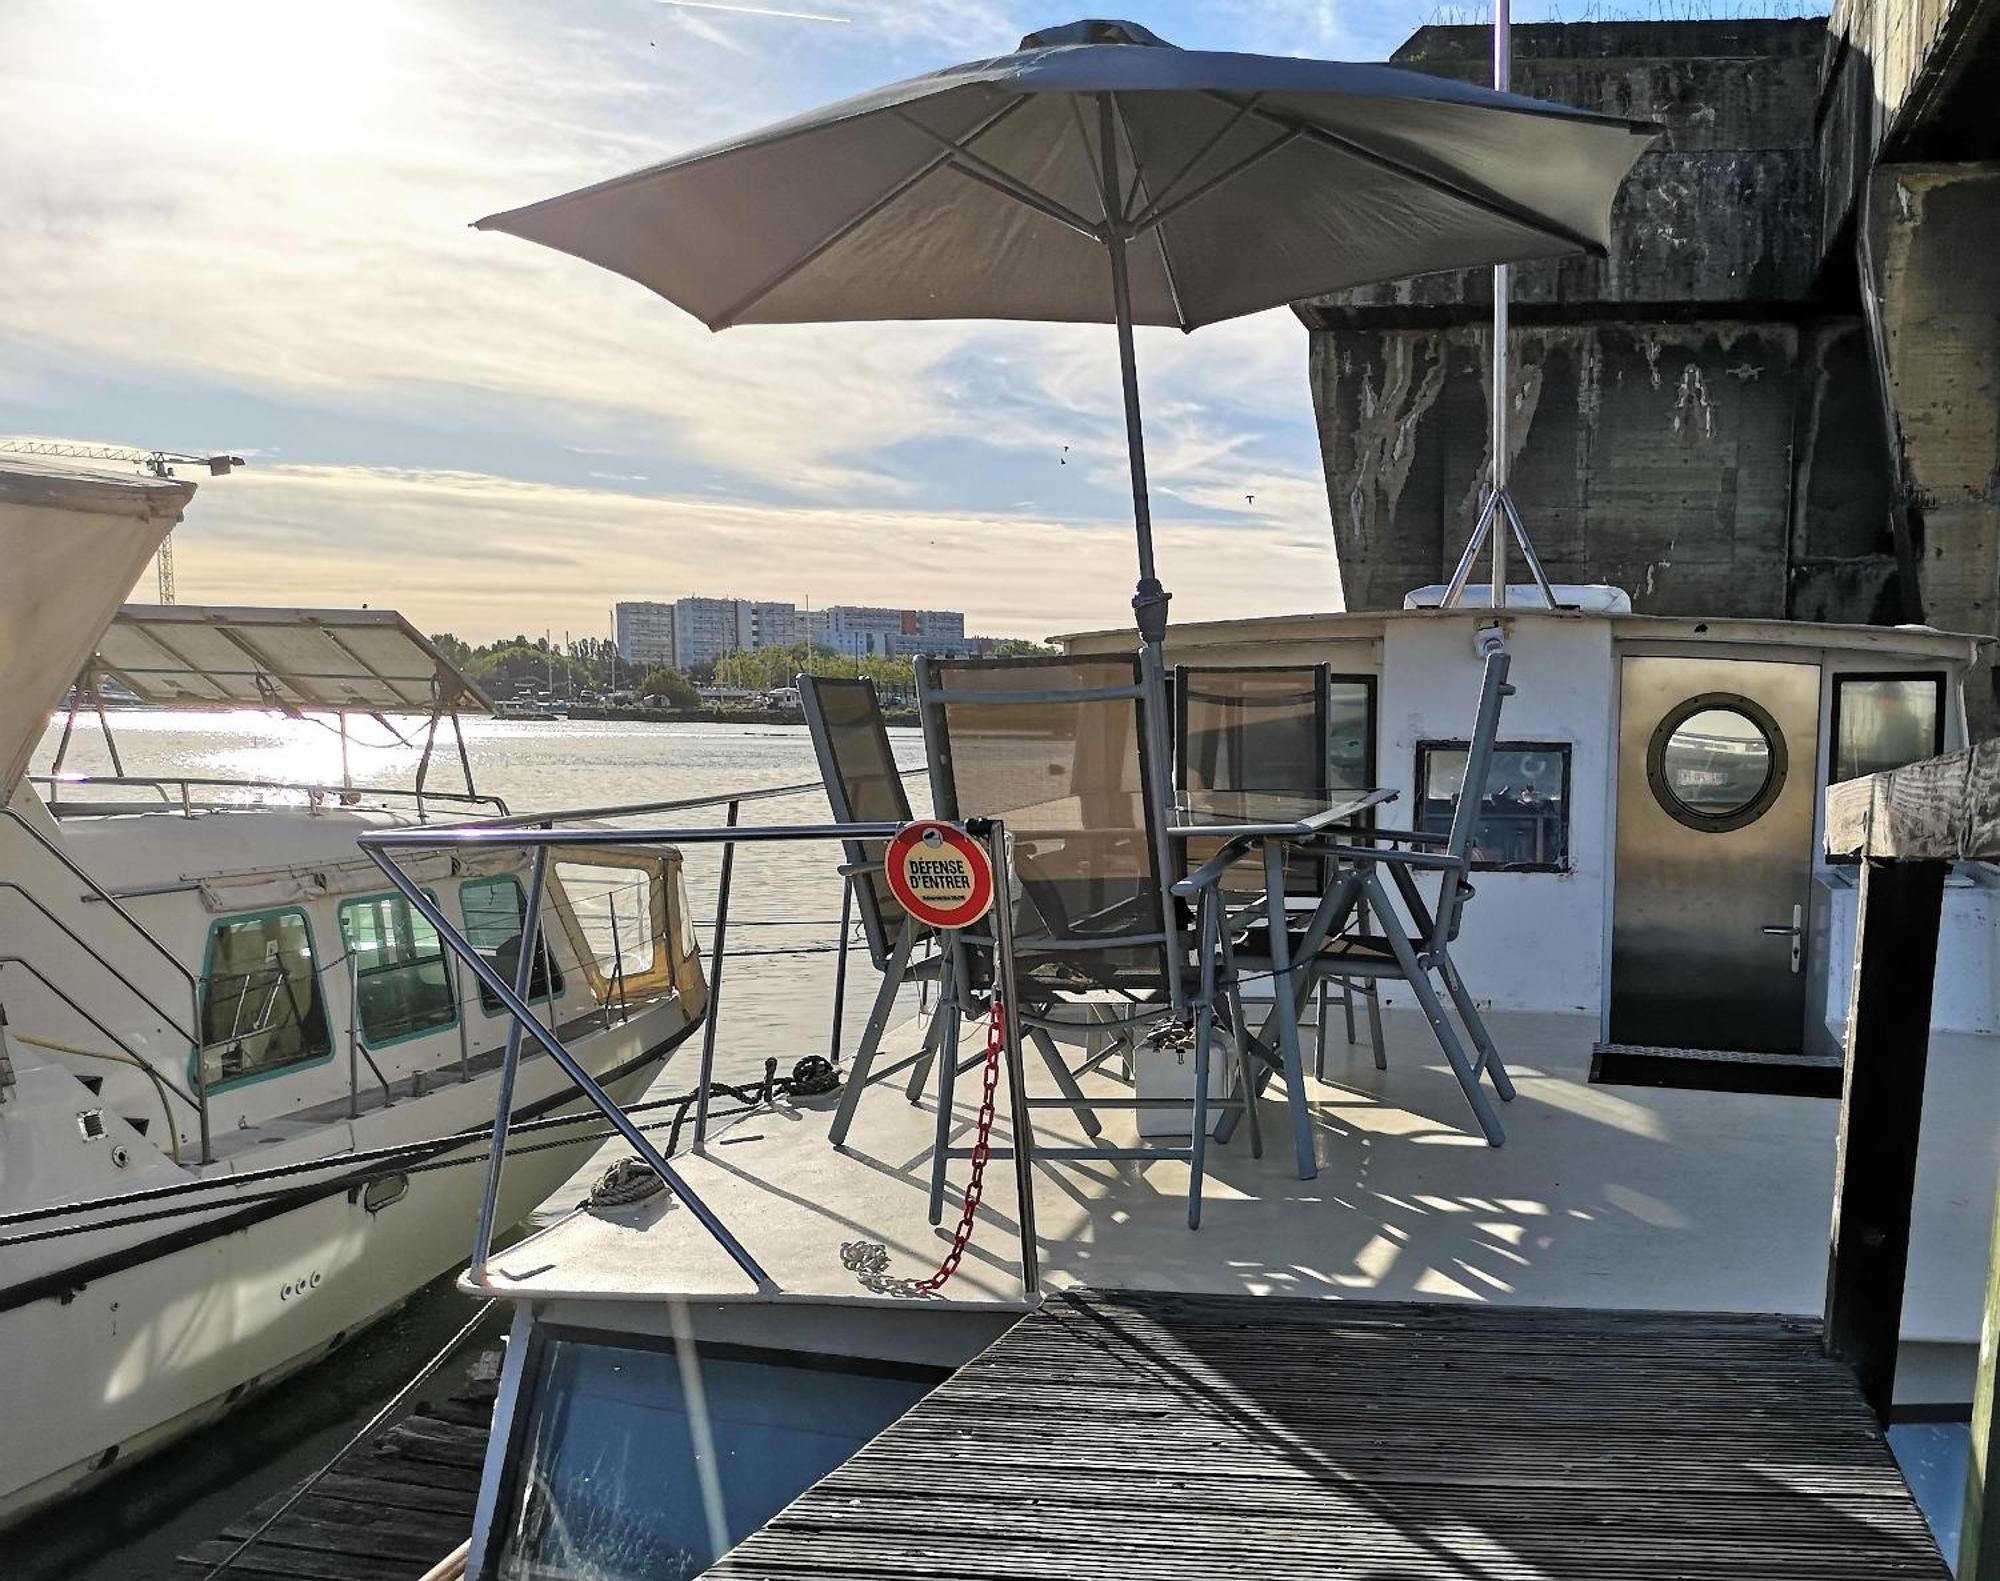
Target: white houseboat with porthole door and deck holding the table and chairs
(1661, 956)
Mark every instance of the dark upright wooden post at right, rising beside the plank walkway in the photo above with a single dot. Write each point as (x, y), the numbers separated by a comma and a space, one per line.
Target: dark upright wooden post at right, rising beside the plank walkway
(1881, 1116)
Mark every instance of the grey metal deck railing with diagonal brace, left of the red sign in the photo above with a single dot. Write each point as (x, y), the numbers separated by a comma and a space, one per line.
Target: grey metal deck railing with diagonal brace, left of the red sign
(541, 840)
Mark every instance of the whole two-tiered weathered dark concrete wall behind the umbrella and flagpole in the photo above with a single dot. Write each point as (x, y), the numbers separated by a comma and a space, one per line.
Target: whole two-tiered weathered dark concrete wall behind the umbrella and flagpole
(1689, 421)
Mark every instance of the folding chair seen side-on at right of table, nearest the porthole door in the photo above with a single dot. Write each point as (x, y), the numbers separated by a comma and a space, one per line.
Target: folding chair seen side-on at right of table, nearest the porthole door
(1409, 952)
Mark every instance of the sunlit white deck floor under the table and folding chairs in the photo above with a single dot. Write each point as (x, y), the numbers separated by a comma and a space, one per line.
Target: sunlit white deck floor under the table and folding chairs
(1601, 1198)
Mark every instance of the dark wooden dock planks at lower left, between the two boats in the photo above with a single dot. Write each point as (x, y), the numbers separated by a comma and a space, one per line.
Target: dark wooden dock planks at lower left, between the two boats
(391, 1512)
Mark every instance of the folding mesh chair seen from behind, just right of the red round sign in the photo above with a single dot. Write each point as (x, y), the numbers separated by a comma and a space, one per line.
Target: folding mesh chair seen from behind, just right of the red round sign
(1065, 753)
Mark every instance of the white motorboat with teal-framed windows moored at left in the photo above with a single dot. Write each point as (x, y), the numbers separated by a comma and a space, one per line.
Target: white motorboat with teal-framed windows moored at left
(241, 1088)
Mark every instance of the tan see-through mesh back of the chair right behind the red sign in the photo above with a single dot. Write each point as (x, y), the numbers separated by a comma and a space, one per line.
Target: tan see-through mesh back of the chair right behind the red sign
(1059, 749)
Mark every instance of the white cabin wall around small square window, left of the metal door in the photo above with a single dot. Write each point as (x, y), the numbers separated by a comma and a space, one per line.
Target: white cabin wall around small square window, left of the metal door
(1531, 942)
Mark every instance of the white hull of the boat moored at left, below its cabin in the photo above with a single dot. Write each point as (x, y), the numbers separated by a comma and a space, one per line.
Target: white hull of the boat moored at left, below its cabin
(139, 1358)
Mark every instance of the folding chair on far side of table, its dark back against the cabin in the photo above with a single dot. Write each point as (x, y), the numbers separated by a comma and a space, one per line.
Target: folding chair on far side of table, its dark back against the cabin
(1265, 727)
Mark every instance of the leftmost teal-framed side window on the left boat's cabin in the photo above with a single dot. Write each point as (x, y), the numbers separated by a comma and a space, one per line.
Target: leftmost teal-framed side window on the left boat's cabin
(261, 1000)
